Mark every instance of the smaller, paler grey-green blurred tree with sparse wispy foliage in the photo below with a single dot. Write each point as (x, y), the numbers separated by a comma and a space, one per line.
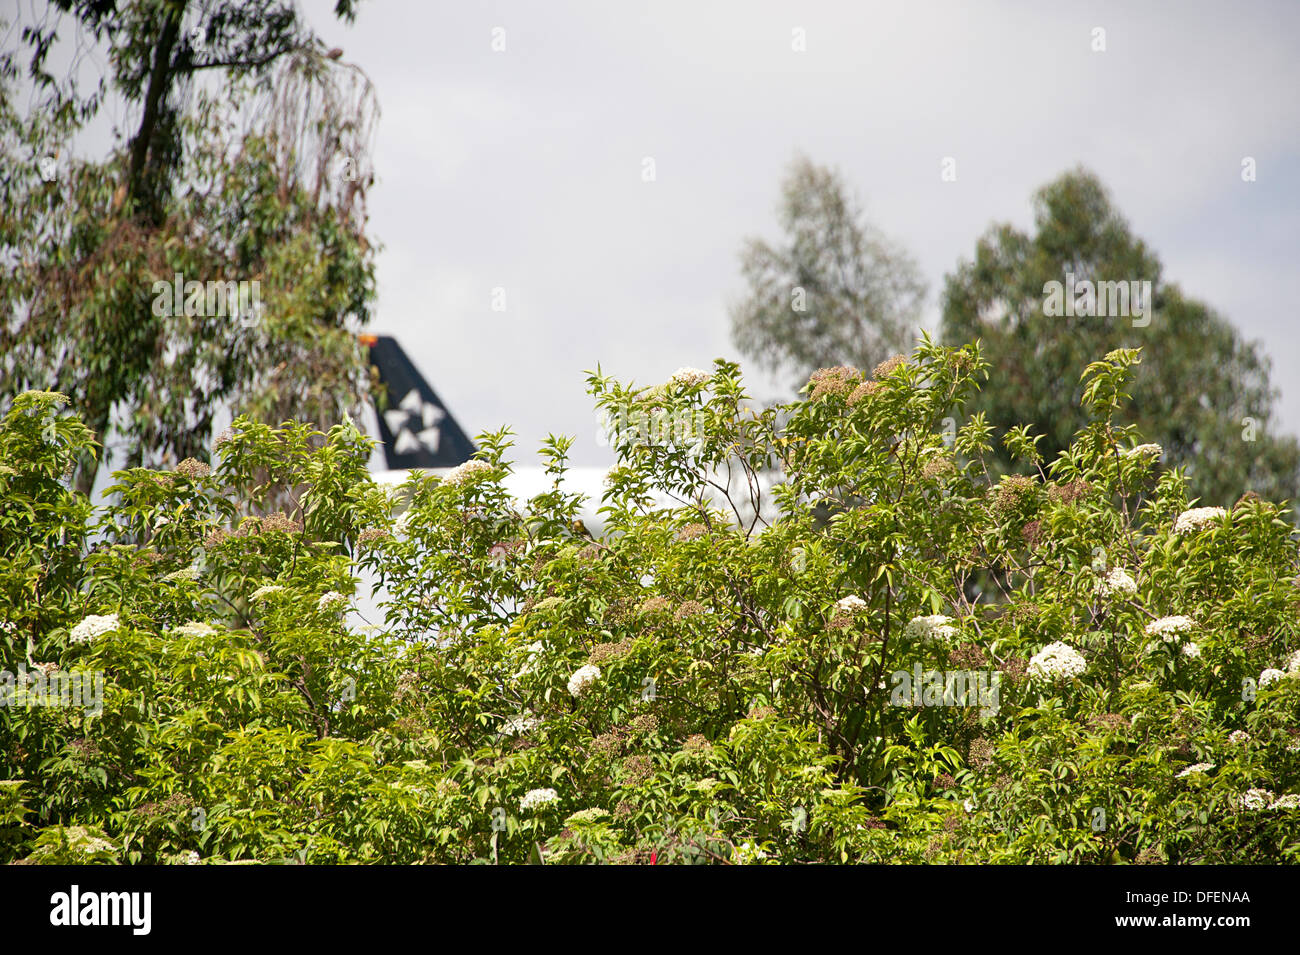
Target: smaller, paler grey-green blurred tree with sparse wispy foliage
(837, 293)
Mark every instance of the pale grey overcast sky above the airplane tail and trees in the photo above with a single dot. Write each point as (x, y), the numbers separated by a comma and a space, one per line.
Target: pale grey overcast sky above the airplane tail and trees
(523, 170)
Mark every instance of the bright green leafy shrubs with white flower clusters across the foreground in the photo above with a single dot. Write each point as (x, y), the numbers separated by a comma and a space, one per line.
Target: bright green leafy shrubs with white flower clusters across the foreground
(705, 683)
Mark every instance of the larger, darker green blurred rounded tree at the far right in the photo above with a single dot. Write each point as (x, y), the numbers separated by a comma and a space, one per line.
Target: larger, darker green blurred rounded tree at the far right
(1202, 393)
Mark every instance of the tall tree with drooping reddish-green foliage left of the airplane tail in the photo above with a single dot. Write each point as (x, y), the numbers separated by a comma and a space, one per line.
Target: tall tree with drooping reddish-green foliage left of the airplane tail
(249, 162)
